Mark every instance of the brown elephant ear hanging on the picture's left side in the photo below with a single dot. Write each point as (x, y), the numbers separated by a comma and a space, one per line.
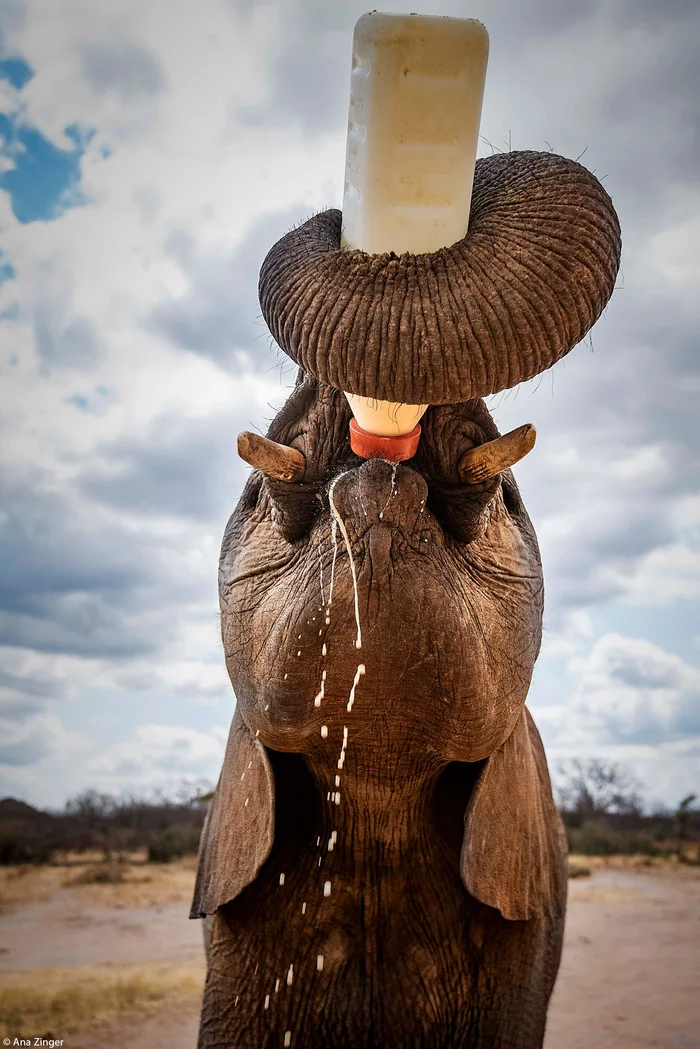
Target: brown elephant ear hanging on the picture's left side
(240, 827)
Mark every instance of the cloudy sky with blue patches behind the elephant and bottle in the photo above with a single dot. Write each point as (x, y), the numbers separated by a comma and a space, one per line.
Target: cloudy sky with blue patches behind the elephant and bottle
(151, 154)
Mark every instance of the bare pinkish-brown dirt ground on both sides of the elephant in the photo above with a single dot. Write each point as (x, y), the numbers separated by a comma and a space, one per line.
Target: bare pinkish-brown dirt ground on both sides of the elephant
(629, 978)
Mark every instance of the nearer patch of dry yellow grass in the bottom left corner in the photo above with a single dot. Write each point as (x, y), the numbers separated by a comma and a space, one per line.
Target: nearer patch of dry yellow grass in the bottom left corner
(66, 1000)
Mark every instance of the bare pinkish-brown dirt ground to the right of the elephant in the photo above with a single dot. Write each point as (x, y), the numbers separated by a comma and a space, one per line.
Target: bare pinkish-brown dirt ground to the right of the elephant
(631, 967)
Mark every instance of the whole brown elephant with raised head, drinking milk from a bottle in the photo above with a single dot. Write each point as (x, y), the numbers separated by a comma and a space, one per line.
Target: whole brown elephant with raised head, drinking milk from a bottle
(384, 863)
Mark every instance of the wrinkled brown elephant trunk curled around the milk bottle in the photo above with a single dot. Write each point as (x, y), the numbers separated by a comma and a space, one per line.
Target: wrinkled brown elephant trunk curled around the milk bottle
(531, 279)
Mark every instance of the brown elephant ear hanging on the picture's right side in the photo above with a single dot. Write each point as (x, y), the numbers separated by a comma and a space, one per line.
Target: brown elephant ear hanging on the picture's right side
(515, 851)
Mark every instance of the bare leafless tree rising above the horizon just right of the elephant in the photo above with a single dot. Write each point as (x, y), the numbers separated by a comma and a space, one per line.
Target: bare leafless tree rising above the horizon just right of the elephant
(593, 788)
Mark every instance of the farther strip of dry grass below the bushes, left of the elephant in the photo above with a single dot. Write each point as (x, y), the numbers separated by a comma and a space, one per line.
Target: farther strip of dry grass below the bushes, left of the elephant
(130, 885)
